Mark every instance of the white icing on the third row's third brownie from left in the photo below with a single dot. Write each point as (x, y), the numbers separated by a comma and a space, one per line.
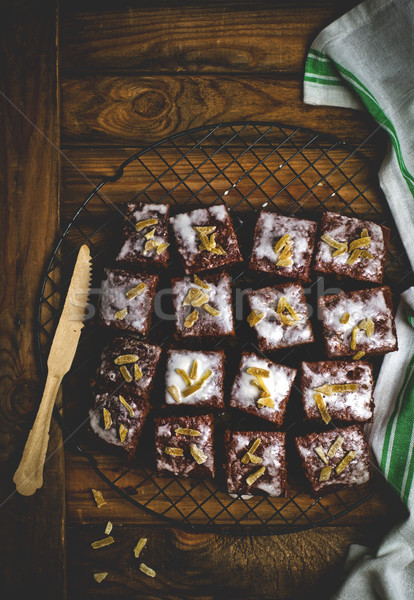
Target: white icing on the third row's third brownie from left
(245, 395)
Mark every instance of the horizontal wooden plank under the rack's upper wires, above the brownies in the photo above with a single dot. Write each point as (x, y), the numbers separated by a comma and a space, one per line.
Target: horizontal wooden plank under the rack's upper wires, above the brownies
(256, 177)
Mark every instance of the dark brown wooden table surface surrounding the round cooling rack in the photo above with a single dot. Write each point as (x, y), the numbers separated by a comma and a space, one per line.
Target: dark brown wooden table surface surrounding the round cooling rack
(82, 86)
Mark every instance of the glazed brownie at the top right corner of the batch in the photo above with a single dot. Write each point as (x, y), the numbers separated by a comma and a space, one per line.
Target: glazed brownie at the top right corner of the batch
(346, 250)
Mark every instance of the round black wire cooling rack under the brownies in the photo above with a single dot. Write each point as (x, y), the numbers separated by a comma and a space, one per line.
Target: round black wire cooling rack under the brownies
(246, 166)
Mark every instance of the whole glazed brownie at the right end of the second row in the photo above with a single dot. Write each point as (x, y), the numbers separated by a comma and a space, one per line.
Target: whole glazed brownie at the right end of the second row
(358, 323)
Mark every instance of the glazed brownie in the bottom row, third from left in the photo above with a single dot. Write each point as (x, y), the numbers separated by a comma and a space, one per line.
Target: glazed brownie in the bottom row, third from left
(262, 470)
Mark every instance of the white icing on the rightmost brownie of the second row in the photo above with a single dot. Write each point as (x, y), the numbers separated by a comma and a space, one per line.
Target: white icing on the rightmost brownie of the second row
(373, 306)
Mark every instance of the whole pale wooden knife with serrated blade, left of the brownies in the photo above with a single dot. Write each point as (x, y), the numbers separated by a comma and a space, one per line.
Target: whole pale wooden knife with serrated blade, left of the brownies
(29, 475)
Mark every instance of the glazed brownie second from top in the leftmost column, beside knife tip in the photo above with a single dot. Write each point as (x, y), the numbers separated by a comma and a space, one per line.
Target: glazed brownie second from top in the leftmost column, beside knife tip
(126, 300)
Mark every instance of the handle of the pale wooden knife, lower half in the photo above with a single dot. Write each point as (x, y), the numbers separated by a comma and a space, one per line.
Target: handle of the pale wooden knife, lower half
(29, 474)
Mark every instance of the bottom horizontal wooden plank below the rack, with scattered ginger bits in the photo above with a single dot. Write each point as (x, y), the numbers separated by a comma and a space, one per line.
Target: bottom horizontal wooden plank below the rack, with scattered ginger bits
(206, 567)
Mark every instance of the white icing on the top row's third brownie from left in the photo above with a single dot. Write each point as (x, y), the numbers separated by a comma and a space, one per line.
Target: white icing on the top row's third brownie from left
(271, 227)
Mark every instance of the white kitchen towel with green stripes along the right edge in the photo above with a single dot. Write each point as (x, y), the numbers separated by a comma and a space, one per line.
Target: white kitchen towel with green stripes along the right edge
(365, 60)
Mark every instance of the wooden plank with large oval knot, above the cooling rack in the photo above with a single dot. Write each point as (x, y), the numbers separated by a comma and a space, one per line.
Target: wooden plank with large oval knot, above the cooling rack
(137, 111)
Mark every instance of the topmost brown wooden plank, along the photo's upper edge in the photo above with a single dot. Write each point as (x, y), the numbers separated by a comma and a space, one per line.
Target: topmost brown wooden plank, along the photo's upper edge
(228, 36)
